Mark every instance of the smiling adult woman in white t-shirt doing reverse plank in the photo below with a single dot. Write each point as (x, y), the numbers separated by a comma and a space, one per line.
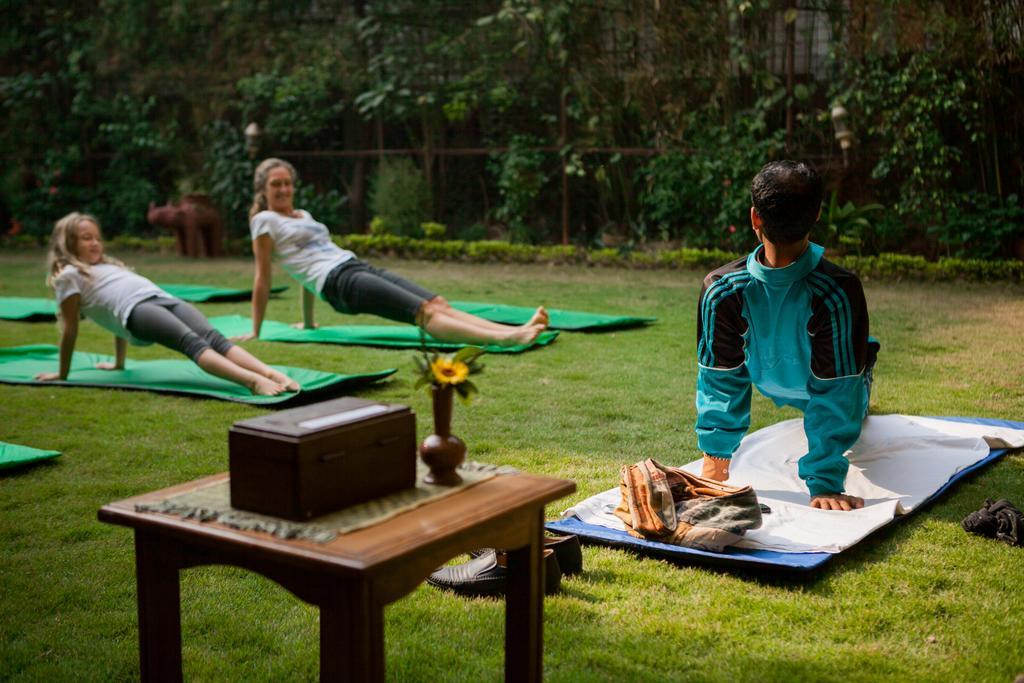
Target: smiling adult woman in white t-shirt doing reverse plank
(350, 285)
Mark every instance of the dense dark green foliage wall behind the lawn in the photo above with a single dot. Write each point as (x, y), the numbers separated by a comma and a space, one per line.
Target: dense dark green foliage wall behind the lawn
(617, 123)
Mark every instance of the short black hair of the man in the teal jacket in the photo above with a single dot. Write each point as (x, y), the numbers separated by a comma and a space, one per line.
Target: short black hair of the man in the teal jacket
(788, 197)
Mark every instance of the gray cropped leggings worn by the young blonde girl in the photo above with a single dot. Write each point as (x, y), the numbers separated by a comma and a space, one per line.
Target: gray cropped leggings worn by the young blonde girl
(177, 325)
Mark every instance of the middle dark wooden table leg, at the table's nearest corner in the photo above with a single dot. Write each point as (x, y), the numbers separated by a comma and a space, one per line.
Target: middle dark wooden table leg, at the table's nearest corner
(352, 634)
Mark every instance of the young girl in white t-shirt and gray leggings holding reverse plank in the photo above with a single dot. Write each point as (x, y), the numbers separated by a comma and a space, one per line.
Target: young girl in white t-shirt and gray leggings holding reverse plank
(90, 283)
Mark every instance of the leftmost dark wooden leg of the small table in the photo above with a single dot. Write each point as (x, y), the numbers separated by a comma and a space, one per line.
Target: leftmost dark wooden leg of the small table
(157, 563)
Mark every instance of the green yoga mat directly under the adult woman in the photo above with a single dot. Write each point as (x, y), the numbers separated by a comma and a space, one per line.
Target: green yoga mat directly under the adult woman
(395, 336)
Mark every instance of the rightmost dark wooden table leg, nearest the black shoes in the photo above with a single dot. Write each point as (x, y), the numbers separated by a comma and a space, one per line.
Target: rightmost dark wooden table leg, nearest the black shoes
(525, 610)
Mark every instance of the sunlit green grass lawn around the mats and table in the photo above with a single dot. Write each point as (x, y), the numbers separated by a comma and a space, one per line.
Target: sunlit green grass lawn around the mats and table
(920, 601)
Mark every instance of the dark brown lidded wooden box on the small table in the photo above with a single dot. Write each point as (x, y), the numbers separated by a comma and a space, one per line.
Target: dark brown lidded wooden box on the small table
(313, 460)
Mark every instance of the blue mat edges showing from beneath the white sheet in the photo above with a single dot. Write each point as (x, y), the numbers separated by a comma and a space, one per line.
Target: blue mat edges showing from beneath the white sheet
(762, 559)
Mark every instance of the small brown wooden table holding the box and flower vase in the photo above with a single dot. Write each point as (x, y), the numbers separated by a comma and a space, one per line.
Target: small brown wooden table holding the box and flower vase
(353, 578)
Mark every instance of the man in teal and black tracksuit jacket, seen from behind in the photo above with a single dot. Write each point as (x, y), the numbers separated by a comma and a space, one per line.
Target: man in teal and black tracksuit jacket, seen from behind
(795, 326)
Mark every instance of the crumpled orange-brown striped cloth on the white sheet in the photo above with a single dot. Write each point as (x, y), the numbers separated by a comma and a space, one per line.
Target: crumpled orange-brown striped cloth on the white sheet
(672, 506)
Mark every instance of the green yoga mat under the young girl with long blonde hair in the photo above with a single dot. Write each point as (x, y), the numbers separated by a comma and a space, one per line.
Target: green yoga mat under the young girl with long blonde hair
(20, 365)
